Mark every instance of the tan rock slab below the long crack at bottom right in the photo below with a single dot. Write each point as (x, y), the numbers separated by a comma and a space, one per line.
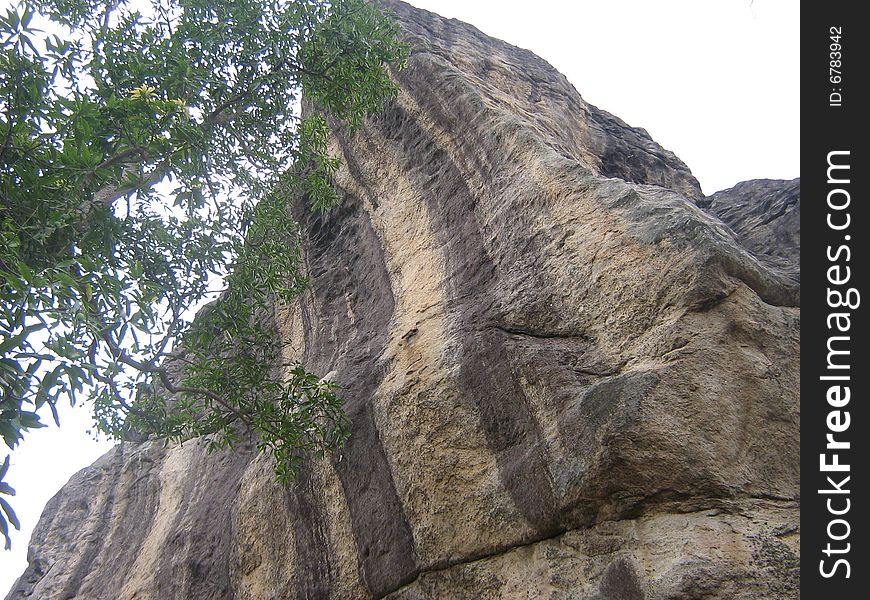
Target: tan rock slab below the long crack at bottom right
(688, 555)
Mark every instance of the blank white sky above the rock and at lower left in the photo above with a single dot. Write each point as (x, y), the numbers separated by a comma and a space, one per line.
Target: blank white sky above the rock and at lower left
(715, 81)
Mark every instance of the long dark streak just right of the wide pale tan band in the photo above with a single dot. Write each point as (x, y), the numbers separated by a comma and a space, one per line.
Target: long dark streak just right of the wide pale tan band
(485, 376)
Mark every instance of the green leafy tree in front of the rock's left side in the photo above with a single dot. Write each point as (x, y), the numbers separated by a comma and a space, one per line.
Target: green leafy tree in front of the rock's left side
(145, 154)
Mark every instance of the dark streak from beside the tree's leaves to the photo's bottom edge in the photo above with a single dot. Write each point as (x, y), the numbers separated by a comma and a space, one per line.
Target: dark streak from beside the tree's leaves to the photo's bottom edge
(347, 329)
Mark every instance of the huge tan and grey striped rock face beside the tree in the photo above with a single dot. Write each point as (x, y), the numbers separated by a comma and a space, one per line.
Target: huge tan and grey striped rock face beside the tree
(566, 379)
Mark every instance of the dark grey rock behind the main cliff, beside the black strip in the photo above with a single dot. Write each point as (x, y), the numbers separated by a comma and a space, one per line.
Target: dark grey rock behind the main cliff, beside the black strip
(766, 216)
